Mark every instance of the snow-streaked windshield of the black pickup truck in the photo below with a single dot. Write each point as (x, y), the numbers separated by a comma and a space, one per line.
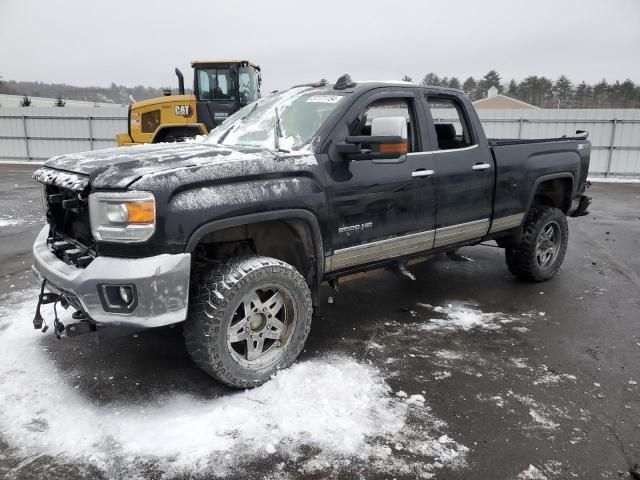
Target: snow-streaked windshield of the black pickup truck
(286, 120)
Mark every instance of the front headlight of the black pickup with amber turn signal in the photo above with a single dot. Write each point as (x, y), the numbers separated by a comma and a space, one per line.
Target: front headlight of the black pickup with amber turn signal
(122, 216)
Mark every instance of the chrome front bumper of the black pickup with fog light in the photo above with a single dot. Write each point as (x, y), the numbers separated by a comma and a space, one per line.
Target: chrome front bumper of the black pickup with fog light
(156, 289)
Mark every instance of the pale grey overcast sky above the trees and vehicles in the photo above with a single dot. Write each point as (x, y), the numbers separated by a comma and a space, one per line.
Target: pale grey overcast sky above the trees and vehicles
(96, 42)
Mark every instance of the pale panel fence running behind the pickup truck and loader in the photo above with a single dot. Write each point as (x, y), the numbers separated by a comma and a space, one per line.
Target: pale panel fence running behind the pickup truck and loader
(37, 133)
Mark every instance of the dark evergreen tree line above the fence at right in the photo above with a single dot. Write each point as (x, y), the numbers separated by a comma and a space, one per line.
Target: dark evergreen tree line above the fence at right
(545, 92)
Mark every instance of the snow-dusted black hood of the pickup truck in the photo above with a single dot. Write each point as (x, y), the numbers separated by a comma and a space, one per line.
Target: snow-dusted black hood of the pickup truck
(117, 168)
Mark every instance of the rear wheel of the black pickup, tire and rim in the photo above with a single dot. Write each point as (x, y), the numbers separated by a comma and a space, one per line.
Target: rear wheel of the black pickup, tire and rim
(525, 261)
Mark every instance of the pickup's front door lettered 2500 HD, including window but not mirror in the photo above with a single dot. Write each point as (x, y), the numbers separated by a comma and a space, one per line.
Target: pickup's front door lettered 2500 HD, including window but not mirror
(380, 209)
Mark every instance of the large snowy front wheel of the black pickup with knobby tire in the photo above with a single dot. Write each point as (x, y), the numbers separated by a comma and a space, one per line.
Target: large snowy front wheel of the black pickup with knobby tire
(224, 298)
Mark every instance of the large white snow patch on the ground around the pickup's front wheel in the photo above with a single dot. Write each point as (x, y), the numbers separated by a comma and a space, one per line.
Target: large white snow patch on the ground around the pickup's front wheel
(339, 406)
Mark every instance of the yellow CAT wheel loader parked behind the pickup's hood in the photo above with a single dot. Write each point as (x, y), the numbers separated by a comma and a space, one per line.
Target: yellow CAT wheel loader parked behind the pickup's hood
(220, 88)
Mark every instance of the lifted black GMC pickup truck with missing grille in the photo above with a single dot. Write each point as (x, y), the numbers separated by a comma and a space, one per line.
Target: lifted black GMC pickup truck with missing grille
(233, 235)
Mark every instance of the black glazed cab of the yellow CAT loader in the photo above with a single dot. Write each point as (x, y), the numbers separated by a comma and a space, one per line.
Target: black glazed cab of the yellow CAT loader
(223, 87)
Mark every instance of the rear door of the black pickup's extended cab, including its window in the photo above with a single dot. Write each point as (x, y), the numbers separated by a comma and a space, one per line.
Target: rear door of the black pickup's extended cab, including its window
(464, 171)
